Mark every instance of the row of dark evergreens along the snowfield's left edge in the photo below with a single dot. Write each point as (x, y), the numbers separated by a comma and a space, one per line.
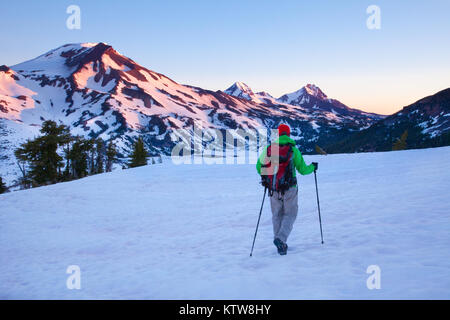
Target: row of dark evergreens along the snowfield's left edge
(58, 156)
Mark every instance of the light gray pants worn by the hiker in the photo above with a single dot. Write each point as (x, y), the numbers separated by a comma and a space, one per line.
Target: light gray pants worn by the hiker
(284, 212)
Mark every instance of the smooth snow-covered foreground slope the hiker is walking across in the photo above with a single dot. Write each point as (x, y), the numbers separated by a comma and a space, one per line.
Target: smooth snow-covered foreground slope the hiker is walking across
(185, 232)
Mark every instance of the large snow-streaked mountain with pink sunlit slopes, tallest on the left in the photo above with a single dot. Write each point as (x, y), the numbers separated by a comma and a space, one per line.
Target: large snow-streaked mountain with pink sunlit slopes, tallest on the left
(99, 92)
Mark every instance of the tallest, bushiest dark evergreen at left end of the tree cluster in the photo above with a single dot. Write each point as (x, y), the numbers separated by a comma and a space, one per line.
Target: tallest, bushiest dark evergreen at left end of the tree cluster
(41, 153)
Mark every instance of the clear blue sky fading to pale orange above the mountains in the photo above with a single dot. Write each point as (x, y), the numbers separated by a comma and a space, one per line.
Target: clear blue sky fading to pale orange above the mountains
(274, 46)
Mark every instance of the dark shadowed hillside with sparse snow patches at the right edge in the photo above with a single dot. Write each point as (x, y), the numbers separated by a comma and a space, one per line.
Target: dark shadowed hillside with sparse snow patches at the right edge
(426, 121)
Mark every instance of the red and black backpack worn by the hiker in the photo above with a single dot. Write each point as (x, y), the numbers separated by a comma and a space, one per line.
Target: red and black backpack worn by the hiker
(277, 172)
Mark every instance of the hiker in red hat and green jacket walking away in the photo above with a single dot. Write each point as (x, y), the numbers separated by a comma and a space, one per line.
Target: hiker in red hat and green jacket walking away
(277, 166)
